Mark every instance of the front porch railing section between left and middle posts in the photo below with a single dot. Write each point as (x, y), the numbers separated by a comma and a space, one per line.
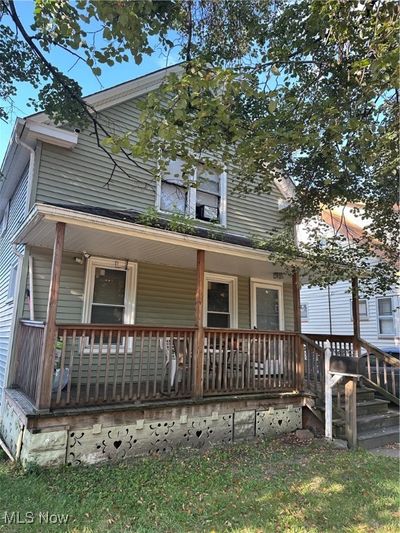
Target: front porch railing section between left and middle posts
(98, 364)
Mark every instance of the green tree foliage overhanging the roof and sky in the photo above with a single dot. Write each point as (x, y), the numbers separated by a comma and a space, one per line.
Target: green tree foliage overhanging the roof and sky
(306, 89)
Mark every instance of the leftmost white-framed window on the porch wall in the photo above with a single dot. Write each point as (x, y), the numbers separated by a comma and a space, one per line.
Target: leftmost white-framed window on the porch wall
(110, 291)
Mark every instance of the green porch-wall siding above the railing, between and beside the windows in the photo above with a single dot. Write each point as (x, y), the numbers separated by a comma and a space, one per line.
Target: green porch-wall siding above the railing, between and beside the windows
(158, 302)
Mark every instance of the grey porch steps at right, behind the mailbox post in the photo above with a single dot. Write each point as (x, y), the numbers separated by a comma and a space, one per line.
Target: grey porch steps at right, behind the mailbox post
(377, 420)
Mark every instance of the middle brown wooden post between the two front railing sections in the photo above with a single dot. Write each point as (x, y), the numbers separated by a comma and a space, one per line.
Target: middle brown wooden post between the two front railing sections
(198, 354)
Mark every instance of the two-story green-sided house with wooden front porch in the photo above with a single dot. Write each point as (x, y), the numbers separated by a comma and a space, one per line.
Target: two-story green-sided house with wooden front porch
(124, 333)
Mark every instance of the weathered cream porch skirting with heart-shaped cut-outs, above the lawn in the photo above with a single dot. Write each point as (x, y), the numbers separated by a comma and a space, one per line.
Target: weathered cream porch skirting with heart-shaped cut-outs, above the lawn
(93, 436)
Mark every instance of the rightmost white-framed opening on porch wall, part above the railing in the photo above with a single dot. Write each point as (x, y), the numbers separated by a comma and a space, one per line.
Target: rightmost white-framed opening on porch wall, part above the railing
(267, 306)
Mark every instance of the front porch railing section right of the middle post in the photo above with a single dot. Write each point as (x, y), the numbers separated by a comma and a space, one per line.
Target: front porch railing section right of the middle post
(248, 361)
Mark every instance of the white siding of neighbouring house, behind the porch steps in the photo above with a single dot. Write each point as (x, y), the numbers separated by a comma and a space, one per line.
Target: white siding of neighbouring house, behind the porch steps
(341, 314)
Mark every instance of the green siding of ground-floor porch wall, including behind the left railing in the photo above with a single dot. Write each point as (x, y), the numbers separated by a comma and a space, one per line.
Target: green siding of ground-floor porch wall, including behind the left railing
(165, 296)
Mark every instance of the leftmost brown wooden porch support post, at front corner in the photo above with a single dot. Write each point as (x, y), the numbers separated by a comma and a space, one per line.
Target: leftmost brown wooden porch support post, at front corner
(46, 365)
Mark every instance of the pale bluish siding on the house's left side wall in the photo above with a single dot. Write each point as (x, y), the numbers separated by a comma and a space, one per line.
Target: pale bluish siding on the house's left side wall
(7, 261)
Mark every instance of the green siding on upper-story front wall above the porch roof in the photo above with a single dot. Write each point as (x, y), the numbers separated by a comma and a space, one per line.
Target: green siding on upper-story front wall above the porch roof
(79, 177)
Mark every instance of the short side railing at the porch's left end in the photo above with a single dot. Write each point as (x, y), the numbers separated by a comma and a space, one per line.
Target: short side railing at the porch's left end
(29, 344)
